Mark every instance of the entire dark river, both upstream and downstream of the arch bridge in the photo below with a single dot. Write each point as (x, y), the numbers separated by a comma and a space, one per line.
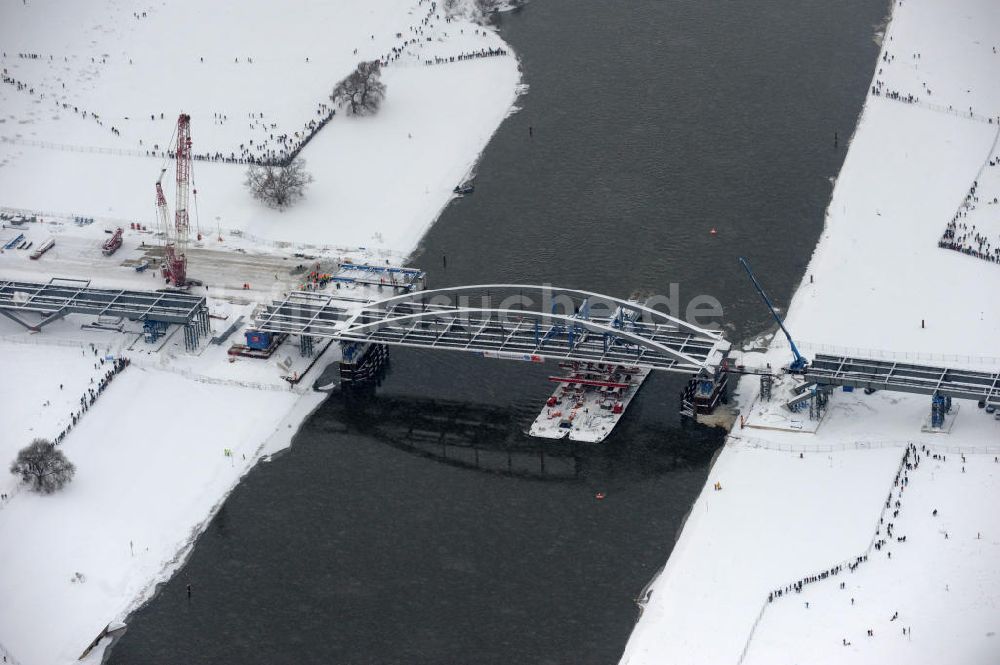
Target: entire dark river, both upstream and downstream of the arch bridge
(418, 524)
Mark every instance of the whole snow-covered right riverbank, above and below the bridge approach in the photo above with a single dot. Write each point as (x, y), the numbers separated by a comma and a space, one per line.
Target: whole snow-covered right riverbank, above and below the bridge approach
(794, 504)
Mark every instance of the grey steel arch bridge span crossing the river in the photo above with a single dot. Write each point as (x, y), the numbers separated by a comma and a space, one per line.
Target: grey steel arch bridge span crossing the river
(510, 321)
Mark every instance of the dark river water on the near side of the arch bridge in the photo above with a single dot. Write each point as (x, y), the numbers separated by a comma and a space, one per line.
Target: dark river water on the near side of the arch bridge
(379, 538)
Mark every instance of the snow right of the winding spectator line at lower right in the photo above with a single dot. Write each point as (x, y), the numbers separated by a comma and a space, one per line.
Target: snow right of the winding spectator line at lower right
(925, 599)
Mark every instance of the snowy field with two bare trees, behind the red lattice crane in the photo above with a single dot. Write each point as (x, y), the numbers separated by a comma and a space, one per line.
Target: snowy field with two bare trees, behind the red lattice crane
(378, 181)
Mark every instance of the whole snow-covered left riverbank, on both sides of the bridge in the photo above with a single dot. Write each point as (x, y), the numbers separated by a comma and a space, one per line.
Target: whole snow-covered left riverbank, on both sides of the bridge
(164, 444)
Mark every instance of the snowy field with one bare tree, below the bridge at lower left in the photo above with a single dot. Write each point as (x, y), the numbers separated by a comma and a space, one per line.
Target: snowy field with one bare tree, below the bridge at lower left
(150, 468)
